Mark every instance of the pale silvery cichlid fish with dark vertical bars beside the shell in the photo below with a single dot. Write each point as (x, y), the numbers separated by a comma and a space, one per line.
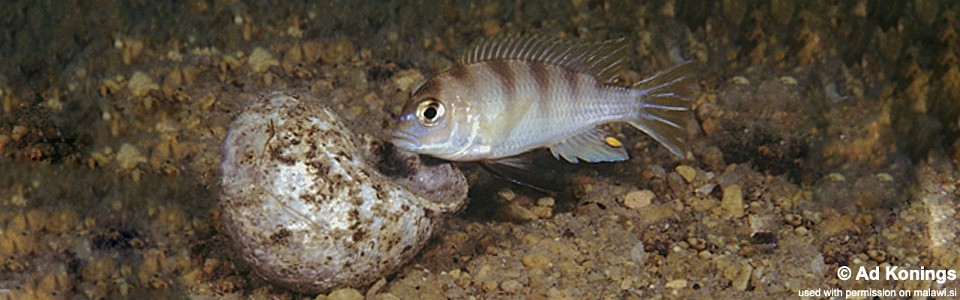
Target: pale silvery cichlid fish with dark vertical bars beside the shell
(510, 95)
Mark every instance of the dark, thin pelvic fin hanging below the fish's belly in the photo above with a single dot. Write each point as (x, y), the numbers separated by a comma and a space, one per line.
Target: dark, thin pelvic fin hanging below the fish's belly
(517, 169)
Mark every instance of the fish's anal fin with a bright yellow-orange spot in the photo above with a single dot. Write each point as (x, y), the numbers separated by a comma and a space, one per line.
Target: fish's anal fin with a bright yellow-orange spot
(592, 146)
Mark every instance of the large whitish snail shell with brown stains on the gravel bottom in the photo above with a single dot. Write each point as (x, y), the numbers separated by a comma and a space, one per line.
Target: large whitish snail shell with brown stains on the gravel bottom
(307, 201)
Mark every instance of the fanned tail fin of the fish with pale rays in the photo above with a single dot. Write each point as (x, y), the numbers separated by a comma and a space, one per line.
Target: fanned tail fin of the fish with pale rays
(664, 106)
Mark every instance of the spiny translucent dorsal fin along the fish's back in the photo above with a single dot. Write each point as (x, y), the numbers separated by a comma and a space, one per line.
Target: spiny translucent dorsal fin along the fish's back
(601, 59)
